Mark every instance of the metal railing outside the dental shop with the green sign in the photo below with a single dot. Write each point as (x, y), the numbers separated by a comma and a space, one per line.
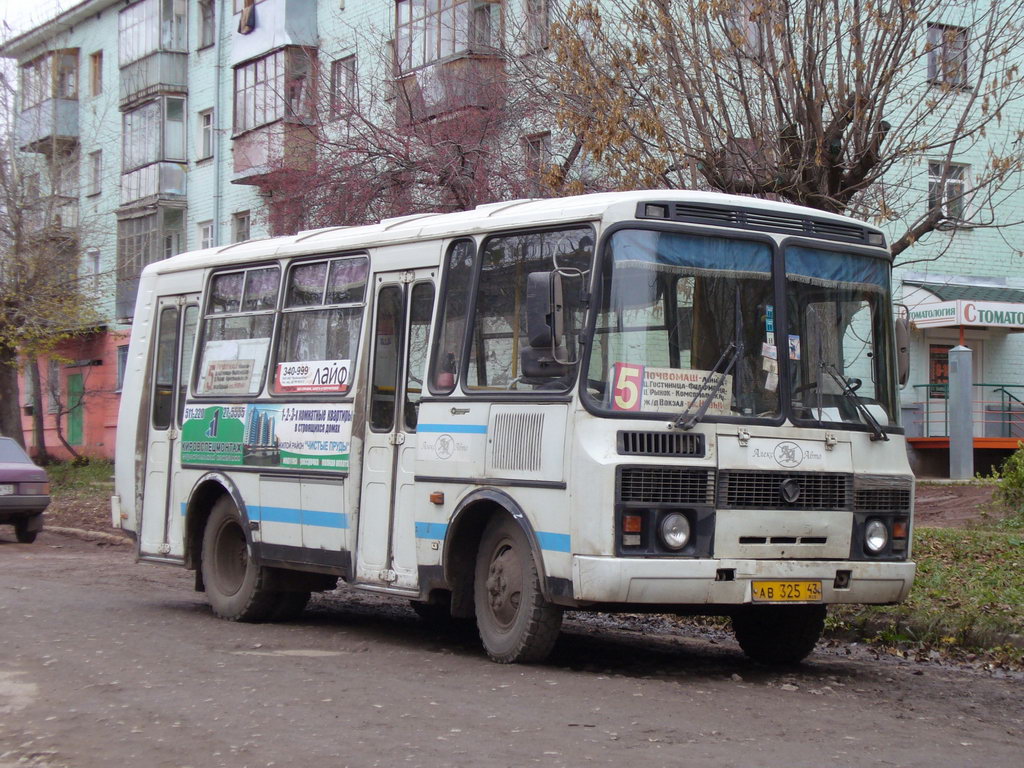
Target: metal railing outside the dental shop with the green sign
(998, 411)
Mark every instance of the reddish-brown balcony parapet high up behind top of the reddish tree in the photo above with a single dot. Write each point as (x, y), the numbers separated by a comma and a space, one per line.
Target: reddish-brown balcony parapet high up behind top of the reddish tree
(475, 81)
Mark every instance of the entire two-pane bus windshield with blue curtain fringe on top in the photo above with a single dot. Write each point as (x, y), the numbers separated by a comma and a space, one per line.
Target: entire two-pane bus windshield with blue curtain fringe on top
(688, 327)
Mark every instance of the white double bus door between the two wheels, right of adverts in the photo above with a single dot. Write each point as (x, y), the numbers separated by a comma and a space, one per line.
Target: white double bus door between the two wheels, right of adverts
(387, 549)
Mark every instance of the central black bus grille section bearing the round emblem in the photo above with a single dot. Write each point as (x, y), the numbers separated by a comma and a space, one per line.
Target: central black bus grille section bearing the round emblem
(765, 491)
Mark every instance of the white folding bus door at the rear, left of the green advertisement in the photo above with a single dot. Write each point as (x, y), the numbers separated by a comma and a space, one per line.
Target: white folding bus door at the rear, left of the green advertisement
(173, 343)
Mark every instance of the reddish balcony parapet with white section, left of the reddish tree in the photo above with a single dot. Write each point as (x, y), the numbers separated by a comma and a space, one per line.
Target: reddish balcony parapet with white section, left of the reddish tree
(285, 146)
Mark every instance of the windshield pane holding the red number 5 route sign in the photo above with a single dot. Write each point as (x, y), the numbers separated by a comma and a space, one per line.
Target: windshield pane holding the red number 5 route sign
(681, 326)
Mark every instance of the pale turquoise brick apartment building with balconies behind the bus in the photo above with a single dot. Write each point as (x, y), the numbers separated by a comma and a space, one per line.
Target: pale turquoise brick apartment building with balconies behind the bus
(173, 121)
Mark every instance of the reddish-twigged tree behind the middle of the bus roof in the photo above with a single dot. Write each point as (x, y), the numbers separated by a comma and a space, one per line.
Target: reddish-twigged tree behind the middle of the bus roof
(390, 141)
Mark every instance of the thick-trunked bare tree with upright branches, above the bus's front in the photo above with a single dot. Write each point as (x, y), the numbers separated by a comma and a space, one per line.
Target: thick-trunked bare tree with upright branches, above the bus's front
(857, 107)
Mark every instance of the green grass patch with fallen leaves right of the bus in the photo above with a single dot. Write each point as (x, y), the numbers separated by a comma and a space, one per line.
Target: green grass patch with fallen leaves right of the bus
(967, 596)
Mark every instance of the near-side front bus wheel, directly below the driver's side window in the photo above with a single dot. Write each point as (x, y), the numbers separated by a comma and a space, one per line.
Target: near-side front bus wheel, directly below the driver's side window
(517, 624)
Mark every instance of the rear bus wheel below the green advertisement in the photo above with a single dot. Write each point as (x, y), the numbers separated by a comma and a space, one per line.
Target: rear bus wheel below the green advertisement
(236, 587)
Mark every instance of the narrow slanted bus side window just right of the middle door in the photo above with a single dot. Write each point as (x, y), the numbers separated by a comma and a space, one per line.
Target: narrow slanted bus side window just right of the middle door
(452, 324)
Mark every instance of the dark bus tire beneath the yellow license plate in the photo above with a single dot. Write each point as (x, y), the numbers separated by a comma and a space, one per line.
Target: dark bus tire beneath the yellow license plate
(779, 634)
